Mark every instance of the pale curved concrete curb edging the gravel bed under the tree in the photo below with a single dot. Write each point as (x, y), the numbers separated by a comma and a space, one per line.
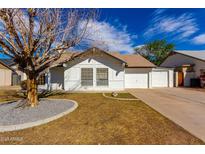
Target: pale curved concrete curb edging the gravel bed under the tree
(39, 122)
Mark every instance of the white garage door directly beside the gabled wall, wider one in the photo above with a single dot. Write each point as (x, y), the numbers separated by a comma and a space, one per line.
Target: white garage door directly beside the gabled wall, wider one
(136, 80)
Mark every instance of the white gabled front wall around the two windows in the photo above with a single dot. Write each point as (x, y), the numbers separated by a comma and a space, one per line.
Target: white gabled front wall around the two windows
(72, 74)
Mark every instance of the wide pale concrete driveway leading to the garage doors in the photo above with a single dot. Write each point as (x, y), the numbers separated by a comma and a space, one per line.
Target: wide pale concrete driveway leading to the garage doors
(183, 106)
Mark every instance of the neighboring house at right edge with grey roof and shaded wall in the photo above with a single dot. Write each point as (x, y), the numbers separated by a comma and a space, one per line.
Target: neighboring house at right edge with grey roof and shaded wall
(189, 67)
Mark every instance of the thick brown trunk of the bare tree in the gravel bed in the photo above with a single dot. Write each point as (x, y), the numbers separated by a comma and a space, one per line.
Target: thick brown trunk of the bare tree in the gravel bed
(32, 95)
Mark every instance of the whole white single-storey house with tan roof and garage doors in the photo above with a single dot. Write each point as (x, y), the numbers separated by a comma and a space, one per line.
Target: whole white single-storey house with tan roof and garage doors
(95, 69)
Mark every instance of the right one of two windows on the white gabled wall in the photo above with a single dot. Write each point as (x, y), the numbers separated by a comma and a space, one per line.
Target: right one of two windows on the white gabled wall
(102, 76)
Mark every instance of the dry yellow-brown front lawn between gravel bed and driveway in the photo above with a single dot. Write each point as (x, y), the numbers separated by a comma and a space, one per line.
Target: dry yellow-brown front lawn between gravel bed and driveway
(99, 120)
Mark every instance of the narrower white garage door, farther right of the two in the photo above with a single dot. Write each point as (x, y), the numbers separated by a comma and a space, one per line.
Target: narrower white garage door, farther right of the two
(159, 79)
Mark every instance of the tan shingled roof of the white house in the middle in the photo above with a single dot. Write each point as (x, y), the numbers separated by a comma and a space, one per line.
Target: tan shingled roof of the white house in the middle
(130, 60)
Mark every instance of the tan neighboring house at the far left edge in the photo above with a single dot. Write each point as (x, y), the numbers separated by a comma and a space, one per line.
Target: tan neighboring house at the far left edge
(5, 74)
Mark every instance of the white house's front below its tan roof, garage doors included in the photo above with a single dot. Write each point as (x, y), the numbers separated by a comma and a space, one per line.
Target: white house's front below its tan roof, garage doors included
(120, 76)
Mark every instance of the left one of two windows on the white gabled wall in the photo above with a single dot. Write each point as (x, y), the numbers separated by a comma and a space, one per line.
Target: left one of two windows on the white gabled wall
(86, 76)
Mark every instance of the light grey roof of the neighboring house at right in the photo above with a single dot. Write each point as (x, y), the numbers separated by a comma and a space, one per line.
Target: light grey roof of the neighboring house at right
(200, 54)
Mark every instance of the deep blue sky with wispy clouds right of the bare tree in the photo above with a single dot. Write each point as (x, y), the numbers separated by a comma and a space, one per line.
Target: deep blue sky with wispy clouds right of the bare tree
(183, 27)
